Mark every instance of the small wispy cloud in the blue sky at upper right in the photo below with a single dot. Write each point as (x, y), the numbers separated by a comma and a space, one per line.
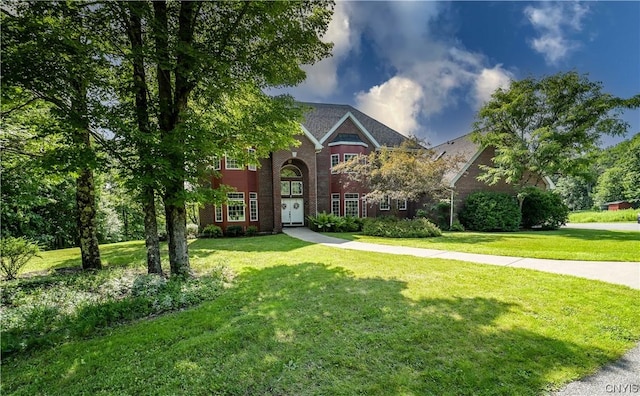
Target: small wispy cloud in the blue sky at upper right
(554, 23)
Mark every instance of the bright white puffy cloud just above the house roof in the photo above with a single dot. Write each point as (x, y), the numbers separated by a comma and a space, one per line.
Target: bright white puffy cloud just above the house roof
(396, 103)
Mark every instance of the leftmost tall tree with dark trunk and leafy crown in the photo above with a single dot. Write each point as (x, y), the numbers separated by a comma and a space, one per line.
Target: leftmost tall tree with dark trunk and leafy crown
(48, 51)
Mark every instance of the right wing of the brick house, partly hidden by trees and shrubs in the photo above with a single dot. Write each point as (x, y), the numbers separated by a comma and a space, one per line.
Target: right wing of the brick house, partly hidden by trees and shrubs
(464, 180)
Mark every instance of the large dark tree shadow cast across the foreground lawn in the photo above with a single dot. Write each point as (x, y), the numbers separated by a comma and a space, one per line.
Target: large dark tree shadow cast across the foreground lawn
(313, 329)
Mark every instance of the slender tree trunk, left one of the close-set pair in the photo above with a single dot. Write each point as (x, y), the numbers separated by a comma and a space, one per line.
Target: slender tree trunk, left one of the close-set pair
(152, 242)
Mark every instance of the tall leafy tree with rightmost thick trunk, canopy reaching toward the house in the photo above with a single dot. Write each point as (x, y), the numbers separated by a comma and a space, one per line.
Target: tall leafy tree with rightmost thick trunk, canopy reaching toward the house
(207, 52)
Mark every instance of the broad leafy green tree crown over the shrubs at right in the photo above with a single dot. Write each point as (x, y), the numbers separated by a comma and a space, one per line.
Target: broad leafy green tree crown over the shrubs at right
(547, 127)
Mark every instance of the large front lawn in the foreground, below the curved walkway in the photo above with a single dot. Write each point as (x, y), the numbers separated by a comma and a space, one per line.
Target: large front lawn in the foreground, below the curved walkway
(308, 319)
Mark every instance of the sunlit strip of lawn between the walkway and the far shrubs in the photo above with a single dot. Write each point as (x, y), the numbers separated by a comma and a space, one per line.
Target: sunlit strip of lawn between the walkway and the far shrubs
(563, 244)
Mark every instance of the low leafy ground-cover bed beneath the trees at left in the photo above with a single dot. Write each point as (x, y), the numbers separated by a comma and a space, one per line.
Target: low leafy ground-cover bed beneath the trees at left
(49, 310)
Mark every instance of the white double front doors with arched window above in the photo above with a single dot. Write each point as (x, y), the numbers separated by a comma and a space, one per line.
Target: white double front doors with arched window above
(292, 196)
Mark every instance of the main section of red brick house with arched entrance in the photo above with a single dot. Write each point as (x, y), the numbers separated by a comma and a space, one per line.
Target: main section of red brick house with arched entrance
(295, 183)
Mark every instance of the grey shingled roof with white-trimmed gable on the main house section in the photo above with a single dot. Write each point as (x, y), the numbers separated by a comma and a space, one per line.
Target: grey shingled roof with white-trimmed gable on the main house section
(322, 119)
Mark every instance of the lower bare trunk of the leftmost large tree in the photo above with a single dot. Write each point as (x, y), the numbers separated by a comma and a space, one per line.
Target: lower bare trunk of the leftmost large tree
(86, 206)
